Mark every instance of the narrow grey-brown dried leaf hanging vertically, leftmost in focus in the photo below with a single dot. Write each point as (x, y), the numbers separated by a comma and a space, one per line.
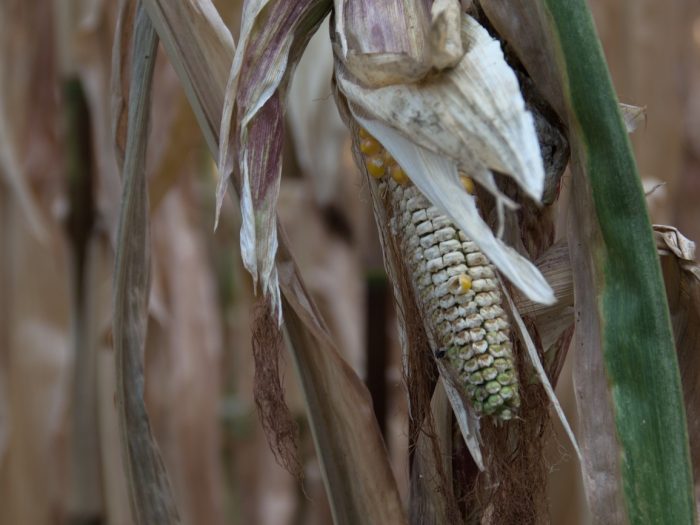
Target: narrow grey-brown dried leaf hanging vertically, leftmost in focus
(149, 489)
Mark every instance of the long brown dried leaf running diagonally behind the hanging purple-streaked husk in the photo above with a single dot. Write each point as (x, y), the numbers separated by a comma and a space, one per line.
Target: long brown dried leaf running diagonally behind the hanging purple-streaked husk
(354, 464)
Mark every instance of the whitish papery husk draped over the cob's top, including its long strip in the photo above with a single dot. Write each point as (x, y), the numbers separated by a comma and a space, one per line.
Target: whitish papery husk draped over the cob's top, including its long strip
(453, 121)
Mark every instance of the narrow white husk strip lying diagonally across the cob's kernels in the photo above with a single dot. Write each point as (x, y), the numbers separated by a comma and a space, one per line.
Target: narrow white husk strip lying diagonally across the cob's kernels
(436, 176)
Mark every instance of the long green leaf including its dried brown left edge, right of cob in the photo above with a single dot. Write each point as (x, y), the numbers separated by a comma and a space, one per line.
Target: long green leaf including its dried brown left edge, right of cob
(633, 427)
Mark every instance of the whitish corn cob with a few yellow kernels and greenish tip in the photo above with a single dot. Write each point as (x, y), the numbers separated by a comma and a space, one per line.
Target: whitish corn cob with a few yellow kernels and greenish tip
(456, 286)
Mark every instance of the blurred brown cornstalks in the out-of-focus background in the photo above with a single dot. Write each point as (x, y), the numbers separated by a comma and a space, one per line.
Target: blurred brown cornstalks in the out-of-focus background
(59, 203)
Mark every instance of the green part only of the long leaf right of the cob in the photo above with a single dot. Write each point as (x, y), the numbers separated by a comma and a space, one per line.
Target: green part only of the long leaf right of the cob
(635, 331)
